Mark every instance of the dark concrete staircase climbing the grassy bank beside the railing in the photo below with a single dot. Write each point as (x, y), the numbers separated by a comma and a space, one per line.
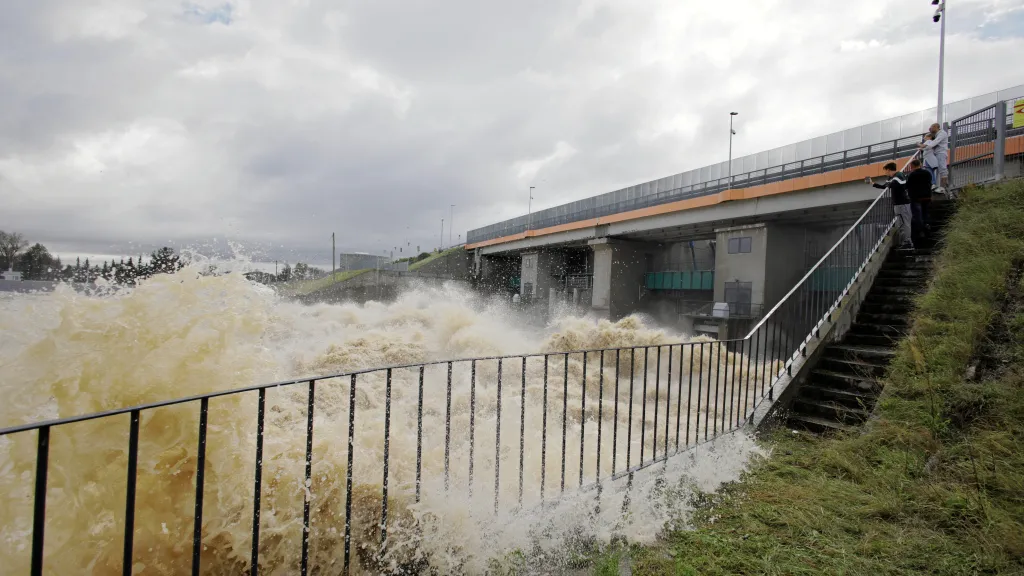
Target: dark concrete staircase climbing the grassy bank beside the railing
(844, 386)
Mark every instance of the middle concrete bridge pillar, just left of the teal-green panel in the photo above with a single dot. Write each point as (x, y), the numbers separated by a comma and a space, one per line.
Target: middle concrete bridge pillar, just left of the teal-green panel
(619, 274)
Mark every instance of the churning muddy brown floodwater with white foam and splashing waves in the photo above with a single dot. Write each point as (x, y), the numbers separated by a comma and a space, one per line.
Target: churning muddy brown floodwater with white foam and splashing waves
(64, 354)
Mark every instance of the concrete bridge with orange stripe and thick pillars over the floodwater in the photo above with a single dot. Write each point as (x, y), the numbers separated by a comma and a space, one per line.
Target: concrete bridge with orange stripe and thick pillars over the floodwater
(676, 246)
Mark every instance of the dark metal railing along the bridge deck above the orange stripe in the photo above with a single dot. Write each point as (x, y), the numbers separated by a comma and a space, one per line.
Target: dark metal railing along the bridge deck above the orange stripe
(891, 150)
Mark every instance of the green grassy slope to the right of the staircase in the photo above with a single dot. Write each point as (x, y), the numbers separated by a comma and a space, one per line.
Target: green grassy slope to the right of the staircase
(934, 486)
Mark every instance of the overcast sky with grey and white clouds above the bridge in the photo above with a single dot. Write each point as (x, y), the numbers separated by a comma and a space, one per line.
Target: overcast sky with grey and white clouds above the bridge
(149, 122)
